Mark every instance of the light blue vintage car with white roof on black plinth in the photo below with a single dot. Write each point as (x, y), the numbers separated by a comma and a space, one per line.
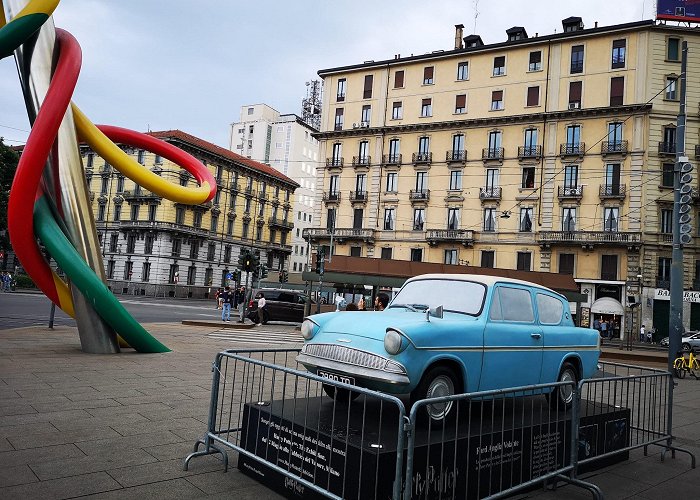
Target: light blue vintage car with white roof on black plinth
(446, 334)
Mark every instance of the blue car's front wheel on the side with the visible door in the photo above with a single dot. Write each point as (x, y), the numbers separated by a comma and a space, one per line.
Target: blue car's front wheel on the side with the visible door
(436, 382)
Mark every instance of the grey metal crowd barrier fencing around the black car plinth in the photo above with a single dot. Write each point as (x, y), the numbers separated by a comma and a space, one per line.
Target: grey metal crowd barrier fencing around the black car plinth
(495, 443)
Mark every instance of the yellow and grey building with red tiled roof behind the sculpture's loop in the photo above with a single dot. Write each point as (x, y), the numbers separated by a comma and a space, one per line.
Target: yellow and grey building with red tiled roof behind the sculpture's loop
(156, 247)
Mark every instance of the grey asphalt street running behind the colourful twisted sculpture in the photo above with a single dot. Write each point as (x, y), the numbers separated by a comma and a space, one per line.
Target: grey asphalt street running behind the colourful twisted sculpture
(20, 309)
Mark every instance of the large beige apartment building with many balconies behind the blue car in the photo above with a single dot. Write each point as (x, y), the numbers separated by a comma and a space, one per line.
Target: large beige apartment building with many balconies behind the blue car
(546, 153)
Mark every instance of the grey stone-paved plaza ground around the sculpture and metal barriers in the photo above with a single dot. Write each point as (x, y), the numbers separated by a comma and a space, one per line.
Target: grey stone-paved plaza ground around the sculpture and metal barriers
(81, 425)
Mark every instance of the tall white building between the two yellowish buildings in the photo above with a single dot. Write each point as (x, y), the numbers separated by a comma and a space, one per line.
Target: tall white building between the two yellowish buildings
(286, 143)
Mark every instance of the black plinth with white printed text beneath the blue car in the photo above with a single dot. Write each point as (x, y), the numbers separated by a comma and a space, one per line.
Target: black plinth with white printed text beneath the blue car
(353, 454)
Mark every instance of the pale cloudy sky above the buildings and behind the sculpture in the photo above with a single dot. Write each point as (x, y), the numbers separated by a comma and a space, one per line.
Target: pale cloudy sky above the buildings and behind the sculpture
(192, 65)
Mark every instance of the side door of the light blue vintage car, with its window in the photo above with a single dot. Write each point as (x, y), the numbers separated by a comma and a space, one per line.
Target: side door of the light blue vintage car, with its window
(512, 340)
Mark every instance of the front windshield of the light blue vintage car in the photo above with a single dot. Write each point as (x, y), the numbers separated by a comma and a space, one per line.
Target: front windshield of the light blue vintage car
(460, 296)
